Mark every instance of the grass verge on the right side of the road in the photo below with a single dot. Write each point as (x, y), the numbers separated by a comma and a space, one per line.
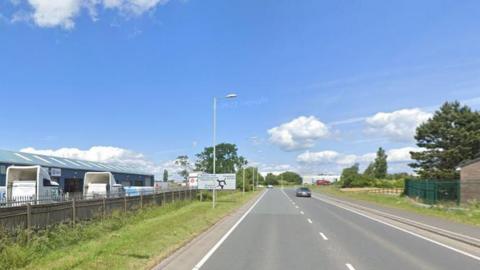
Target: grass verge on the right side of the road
(469, 214)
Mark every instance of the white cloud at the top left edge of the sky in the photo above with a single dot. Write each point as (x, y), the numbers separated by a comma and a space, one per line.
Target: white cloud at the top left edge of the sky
(62, 13)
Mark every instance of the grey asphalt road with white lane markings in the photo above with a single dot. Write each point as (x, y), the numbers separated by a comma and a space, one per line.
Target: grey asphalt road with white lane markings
(285, 232)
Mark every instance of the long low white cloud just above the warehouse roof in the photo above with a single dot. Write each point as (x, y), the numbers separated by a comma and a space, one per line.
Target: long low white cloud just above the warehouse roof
(114, 155)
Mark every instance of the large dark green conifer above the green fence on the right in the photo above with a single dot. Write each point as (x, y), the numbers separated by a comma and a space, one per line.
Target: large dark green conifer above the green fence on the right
(451, 136)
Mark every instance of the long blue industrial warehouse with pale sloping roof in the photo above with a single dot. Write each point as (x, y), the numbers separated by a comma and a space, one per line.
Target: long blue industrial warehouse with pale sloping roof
(70, 173)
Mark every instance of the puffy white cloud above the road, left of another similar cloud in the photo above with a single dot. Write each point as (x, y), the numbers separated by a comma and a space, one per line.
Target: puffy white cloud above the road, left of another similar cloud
(300, 133)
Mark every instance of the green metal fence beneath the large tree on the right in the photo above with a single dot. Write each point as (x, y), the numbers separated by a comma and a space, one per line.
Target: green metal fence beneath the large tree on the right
(433, 191)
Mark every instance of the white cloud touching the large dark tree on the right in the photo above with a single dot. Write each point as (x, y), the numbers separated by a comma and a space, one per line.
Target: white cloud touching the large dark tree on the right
(398, 125)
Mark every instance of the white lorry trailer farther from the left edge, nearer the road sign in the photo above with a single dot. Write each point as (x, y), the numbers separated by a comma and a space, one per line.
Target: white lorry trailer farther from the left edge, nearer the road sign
(101, 184)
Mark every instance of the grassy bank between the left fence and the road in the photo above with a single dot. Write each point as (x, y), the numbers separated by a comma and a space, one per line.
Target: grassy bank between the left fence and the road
(135, 241)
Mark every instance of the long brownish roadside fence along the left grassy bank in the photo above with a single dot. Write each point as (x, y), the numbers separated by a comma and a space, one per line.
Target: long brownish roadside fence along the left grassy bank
(41, 214)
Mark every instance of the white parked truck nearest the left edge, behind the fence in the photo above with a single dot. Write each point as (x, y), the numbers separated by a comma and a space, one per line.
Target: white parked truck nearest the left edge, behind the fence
(30, 184)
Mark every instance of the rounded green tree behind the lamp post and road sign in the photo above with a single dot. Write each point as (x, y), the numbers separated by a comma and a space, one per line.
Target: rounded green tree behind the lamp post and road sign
(227, 159)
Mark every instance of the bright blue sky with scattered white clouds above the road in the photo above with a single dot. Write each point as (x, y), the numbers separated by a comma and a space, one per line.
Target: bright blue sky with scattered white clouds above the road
(140, 76)
